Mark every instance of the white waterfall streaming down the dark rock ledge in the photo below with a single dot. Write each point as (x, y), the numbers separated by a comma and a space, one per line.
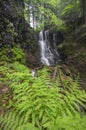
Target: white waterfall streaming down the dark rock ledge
(49, 53)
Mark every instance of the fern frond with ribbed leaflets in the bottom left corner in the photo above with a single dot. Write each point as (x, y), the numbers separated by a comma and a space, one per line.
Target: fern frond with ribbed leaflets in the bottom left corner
(12, 121)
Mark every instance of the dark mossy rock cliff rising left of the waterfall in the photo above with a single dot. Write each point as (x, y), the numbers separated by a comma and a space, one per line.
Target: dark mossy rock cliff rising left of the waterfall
(15, 31)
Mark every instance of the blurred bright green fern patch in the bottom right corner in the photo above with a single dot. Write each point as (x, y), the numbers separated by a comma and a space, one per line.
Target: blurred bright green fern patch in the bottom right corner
(68, 123)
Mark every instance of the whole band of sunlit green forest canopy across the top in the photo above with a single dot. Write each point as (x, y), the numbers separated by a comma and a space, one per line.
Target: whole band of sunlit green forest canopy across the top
(42, 13)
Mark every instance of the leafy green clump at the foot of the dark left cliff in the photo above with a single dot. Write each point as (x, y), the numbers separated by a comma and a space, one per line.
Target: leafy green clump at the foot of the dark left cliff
(9, 55)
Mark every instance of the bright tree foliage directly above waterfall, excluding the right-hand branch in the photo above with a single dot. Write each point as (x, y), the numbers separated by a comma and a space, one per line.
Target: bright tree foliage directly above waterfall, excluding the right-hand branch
(43, 12)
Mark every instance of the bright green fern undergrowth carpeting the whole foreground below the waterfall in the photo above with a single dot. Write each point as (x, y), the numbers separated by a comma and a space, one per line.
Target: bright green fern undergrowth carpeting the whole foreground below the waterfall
(39, 103)
